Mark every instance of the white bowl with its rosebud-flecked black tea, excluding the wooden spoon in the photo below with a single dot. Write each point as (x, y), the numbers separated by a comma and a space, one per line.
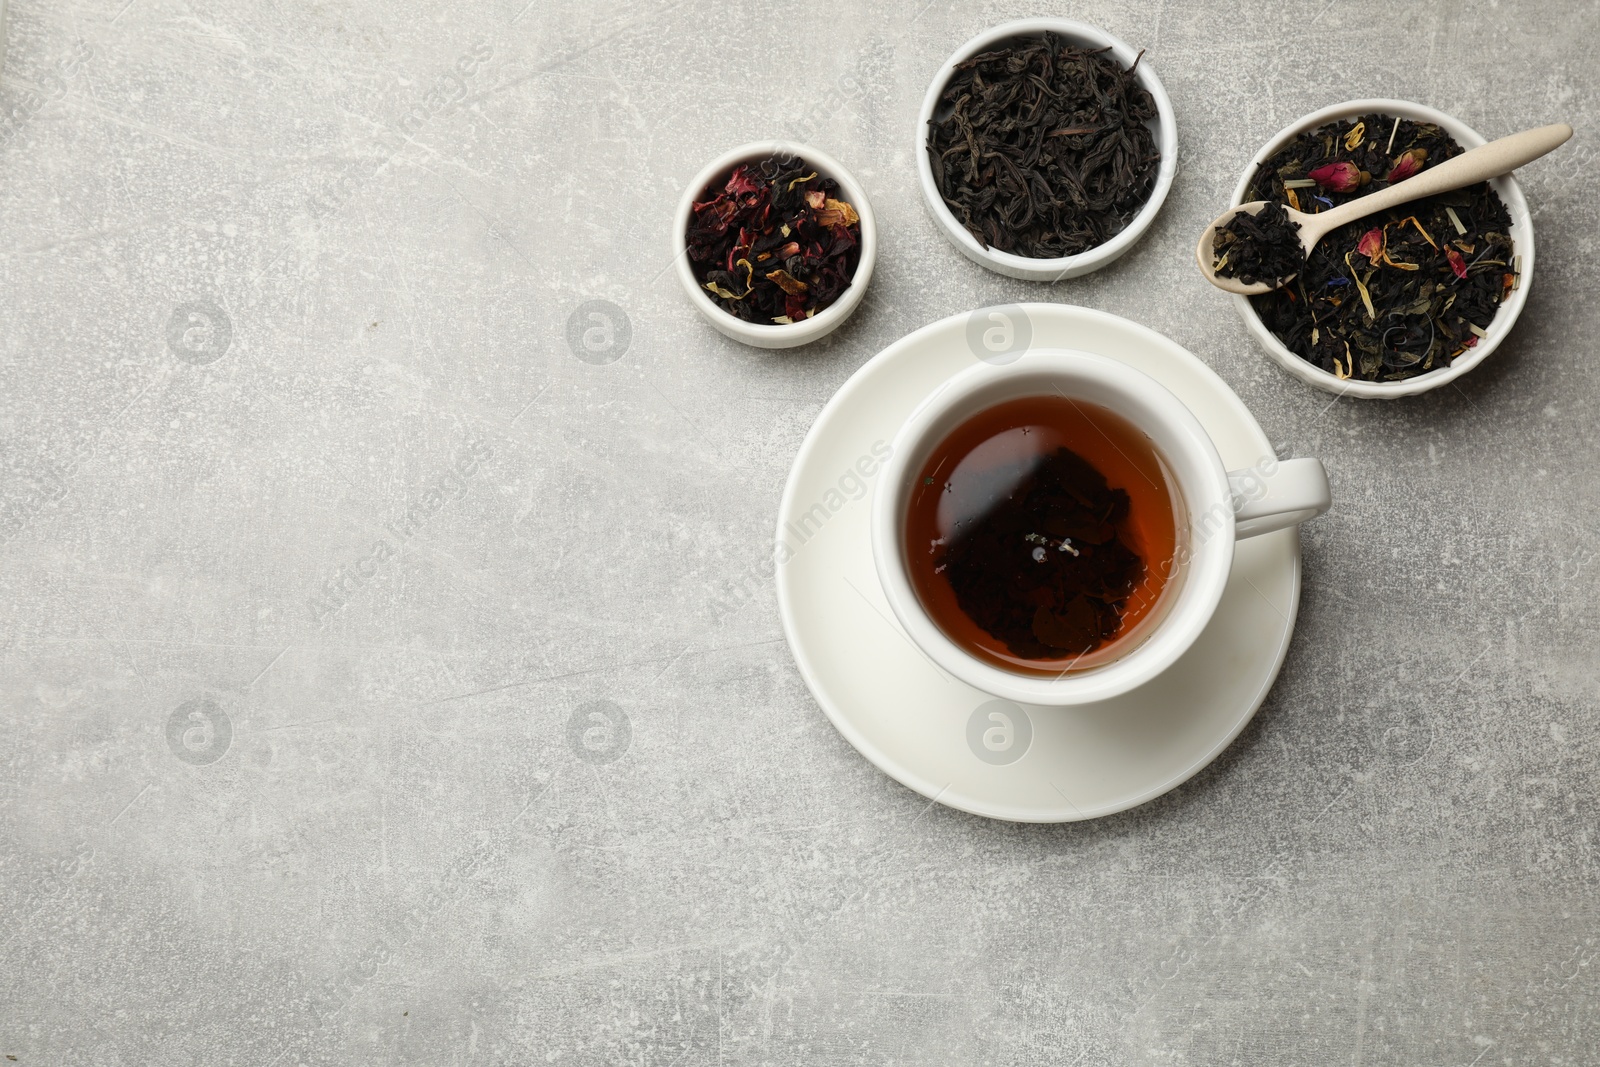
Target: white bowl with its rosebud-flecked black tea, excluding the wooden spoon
(1401, 302)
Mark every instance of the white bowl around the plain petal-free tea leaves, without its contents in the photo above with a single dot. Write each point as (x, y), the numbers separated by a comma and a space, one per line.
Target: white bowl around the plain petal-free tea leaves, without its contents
(1164, 127)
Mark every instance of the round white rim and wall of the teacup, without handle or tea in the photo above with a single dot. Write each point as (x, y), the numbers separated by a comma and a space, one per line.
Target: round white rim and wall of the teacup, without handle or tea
(1209, 565)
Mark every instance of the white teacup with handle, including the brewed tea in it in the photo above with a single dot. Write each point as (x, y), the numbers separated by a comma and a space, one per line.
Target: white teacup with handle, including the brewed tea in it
(1060, 530)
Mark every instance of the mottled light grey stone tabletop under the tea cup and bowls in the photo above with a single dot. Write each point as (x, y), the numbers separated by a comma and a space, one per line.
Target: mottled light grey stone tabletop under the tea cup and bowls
(319, 533)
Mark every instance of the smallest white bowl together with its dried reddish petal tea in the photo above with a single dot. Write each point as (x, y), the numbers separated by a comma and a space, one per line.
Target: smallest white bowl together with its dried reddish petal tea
(775, 244)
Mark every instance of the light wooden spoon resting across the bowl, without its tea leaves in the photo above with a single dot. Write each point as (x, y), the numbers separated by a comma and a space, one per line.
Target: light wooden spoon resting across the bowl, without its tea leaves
(1481, 164)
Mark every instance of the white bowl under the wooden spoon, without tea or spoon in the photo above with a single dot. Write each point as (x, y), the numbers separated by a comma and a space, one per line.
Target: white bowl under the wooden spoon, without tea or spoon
(1510, 310)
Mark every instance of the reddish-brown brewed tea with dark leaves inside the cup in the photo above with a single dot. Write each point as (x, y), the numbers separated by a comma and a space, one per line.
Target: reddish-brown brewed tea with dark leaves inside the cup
(1041, 535)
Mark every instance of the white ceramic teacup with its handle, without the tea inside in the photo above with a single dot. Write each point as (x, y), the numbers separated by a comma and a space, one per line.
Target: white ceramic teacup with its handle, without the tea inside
(1222, 506)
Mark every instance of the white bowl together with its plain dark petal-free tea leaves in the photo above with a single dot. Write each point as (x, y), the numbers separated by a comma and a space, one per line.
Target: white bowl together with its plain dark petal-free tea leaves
(1046, 148)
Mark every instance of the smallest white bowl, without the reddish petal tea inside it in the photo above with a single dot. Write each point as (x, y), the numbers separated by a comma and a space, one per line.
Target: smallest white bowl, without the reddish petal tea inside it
(777, 335)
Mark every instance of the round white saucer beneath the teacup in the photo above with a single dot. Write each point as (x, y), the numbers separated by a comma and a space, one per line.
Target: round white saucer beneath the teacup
(961, 746)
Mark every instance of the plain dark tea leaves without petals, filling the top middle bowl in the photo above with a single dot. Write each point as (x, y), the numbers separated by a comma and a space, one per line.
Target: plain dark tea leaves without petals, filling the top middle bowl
(1044, 150)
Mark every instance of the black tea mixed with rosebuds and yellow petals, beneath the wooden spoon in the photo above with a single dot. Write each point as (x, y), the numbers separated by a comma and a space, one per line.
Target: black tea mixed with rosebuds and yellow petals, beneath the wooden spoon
(1393, 295)
